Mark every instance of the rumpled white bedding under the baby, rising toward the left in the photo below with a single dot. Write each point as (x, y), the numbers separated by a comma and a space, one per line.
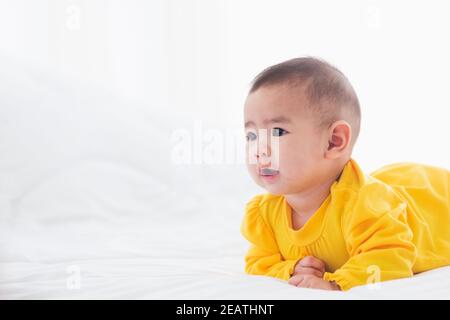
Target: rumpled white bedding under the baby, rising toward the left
(92, 205)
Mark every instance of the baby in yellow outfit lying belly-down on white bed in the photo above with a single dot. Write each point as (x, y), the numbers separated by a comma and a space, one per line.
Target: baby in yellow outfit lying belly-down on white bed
(323, 223)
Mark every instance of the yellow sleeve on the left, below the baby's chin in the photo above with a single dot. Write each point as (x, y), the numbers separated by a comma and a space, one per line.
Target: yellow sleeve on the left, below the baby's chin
(263, 257)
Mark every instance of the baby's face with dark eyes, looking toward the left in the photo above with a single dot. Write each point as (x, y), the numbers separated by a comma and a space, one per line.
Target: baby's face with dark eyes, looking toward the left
(284, 145)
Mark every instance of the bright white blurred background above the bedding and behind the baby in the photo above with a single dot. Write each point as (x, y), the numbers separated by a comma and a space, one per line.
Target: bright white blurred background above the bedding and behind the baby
(198, 57)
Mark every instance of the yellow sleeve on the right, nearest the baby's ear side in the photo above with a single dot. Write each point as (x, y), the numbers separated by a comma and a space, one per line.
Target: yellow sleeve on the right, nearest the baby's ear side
(378, 239)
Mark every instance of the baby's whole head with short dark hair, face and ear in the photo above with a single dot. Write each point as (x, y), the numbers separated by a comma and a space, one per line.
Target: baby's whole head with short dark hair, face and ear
(302, 119)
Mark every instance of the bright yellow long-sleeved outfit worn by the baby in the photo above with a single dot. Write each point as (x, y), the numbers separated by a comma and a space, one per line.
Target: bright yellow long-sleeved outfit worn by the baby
(387, 225)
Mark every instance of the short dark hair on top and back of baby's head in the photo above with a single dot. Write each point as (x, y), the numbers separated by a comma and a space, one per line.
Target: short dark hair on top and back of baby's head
(330, 94)
